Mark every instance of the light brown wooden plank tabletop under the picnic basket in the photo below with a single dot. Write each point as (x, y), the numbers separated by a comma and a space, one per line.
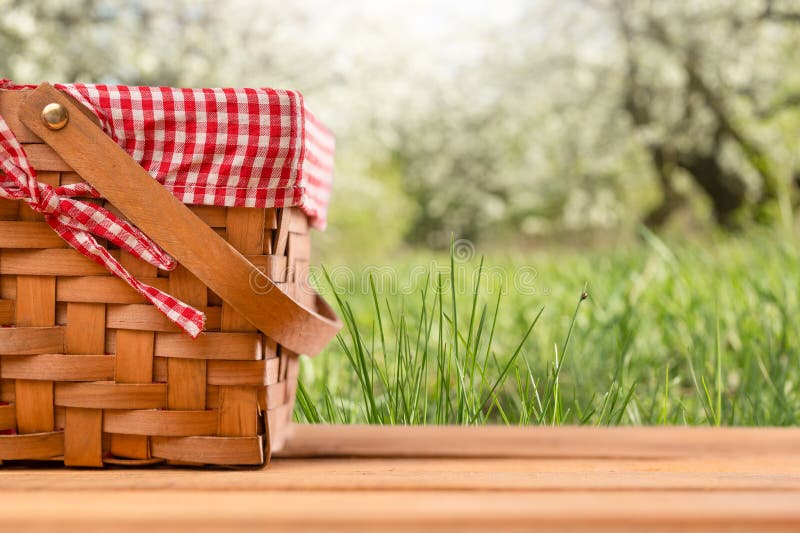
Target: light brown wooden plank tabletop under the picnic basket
(388, 478)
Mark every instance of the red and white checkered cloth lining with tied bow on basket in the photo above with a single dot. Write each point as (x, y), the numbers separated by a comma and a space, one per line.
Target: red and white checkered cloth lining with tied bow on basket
(223, 147)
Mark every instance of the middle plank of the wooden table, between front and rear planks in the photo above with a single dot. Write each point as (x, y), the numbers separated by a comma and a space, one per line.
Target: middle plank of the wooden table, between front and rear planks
(457, 474)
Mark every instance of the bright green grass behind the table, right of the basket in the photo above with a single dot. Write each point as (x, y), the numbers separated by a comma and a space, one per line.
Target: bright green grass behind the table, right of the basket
(656, 333)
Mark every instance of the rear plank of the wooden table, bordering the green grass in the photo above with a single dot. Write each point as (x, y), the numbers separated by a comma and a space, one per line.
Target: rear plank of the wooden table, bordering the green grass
(570, 441)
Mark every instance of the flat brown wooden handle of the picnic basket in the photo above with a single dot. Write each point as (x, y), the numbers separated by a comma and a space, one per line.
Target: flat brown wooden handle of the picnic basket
(173, 226)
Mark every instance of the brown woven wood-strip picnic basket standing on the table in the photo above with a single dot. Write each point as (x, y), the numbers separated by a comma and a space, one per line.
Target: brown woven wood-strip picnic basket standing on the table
(91, 374)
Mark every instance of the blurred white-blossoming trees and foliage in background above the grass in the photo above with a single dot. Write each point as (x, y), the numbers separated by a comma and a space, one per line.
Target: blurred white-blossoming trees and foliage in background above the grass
(522, 119)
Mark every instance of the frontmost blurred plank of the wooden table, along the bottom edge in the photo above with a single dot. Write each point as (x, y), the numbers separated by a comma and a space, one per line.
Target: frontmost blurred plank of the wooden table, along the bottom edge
(390, 510)
